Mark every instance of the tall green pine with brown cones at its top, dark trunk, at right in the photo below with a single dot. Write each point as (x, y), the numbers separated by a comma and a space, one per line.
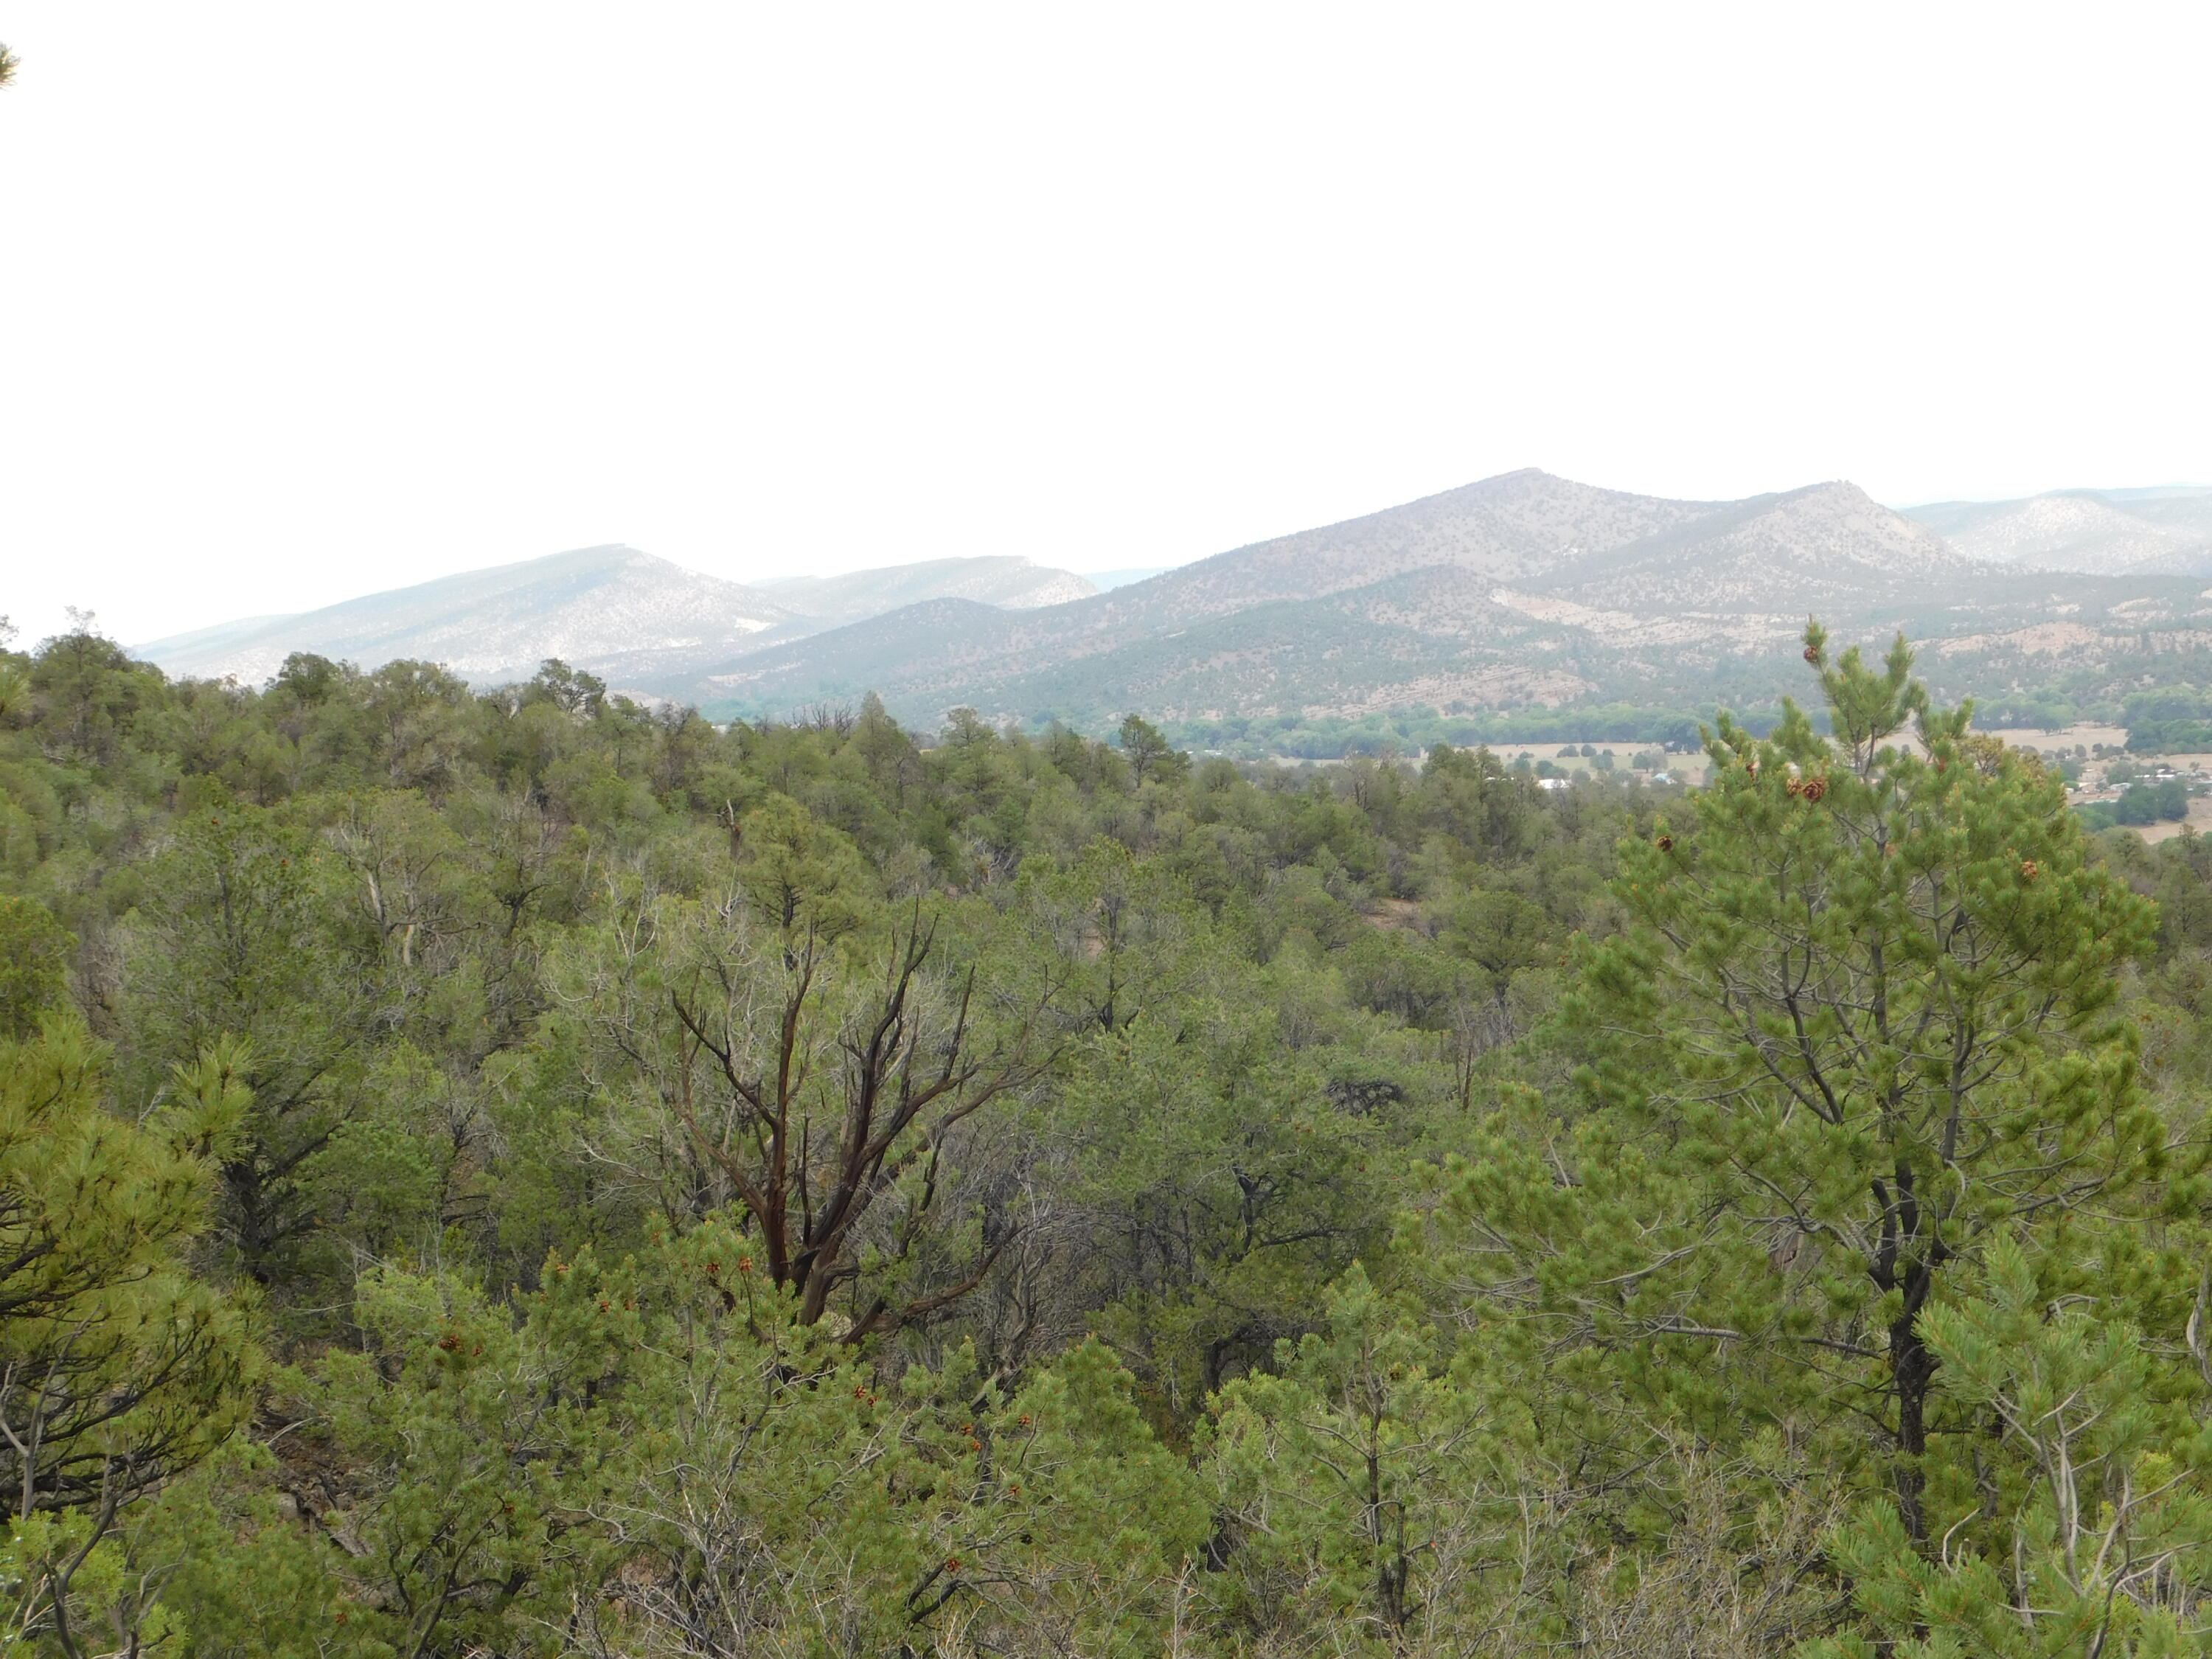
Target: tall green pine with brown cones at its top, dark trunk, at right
(1866, 1016)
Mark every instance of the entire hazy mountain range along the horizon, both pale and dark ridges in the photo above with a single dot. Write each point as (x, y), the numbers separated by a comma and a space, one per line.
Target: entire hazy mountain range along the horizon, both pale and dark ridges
(1512, 594)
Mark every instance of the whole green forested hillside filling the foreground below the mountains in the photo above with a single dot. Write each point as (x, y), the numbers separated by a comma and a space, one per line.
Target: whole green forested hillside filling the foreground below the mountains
(517, 1173)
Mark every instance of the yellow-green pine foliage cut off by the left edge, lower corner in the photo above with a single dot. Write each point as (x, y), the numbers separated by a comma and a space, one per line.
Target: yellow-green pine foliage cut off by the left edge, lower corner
(118, 1370)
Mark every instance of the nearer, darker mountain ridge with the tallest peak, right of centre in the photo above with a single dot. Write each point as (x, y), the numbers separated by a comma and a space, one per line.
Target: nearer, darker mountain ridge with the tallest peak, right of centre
(1519, 592)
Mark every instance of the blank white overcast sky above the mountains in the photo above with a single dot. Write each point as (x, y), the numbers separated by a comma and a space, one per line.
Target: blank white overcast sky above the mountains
(313, 300)
